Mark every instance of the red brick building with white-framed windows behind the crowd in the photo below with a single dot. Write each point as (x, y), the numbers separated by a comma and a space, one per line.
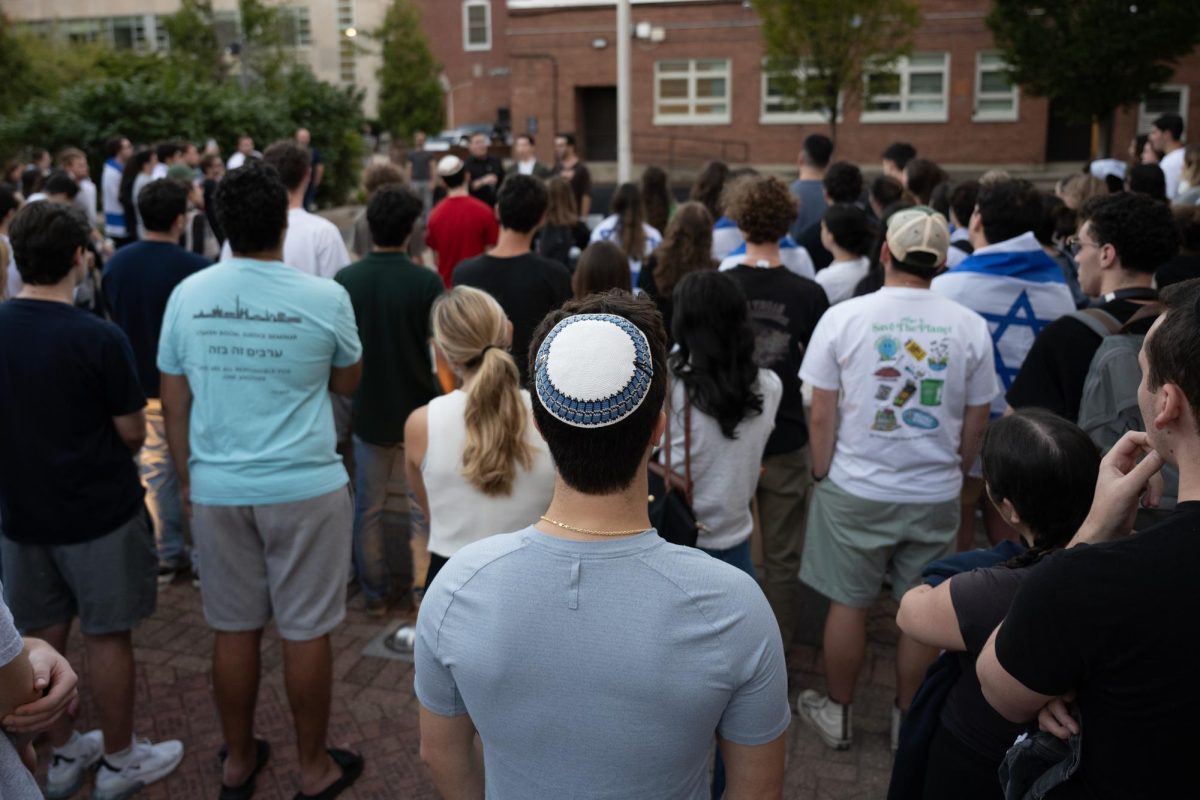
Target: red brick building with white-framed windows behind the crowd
(700, 91)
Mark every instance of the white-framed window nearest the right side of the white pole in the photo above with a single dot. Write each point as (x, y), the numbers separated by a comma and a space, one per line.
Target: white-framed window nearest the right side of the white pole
(692, 92)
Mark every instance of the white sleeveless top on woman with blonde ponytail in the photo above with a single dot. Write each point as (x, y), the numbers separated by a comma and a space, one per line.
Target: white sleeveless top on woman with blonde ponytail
(459, 513)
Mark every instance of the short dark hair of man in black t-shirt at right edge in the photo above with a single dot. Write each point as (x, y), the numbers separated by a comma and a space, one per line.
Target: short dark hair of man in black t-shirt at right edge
(1173, 350)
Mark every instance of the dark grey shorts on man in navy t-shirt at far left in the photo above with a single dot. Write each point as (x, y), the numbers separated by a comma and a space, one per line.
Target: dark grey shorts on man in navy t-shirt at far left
(110, 584)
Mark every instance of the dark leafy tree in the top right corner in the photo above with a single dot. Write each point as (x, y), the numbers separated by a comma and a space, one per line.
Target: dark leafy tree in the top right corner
(1094, 57)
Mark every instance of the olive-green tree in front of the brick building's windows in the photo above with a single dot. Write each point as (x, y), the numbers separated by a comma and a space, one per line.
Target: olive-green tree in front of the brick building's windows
(821, 52)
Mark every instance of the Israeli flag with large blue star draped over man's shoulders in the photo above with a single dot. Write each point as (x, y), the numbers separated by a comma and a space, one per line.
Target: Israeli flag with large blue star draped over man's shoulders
(1018, 290)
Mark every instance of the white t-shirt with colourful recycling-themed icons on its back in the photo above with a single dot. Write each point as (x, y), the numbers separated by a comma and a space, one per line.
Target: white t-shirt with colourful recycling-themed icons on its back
(908, 363)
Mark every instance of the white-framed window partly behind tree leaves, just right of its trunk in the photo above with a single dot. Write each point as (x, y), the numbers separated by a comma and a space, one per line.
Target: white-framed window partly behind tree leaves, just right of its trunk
(916, 91)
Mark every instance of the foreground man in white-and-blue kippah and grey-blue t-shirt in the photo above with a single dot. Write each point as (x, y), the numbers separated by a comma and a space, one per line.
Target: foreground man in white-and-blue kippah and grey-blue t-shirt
(593, 659)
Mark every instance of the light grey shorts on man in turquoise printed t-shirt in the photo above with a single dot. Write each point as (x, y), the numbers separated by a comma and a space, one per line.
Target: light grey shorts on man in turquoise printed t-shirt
(285, 560)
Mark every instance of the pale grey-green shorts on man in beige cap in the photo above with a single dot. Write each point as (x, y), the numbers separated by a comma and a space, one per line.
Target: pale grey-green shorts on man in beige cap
(851, 543)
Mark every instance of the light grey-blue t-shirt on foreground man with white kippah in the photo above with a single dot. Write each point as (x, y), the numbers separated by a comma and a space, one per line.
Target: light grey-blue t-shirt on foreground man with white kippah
(599, 670)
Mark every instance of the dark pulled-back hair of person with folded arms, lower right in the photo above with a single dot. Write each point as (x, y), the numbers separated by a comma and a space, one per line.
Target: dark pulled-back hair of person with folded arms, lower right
(1047, 468)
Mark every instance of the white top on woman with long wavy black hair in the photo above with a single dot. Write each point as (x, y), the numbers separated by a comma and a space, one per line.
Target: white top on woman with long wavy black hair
(724, 472)
